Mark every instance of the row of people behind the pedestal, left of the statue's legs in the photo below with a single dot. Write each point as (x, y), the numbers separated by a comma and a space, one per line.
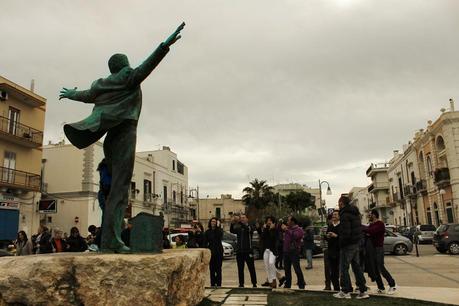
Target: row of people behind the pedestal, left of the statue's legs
(55, 241)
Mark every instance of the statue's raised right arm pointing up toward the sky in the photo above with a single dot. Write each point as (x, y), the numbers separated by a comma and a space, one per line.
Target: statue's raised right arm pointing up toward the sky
(143, 71)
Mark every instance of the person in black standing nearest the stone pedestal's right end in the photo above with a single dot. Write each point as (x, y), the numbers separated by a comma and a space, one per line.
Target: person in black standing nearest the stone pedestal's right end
(213, 241)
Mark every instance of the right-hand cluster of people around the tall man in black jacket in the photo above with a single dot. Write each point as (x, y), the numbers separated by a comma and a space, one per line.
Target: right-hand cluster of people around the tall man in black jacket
(351, 244)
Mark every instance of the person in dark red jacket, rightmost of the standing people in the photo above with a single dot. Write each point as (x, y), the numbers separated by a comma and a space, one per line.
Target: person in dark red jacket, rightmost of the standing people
(376, 231)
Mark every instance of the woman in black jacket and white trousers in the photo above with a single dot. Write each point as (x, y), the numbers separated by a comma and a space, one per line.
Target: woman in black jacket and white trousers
(269, 240)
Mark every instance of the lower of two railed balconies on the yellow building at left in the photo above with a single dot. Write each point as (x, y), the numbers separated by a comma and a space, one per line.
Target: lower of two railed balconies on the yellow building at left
(15, 179)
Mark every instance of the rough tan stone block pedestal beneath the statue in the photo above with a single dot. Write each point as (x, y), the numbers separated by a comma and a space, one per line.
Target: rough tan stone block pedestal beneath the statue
(174, 277)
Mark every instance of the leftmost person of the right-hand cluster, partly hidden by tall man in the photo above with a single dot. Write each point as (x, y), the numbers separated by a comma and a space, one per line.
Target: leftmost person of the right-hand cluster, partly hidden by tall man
(332, 237)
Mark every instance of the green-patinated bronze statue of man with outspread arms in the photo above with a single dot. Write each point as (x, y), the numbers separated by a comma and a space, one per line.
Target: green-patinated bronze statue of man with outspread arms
(118, 102)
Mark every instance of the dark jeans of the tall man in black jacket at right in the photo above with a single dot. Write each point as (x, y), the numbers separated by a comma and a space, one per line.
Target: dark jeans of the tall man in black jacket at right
(349, 255)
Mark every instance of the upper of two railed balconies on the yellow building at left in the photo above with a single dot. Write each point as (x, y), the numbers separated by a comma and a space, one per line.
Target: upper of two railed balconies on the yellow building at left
(20, 133)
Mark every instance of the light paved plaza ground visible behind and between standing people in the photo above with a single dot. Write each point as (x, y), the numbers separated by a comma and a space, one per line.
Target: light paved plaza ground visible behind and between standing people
(431, 276)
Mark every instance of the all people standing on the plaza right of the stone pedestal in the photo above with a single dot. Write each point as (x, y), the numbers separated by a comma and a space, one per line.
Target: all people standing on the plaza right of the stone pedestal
(347, 244)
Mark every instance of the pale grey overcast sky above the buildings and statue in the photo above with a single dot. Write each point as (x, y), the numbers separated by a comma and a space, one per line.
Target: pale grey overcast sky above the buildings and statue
(287, 91)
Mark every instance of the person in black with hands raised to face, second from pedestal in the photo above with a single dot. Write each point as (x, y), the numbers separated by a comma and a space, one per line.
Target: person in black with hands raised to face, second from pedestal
(244, 252)
